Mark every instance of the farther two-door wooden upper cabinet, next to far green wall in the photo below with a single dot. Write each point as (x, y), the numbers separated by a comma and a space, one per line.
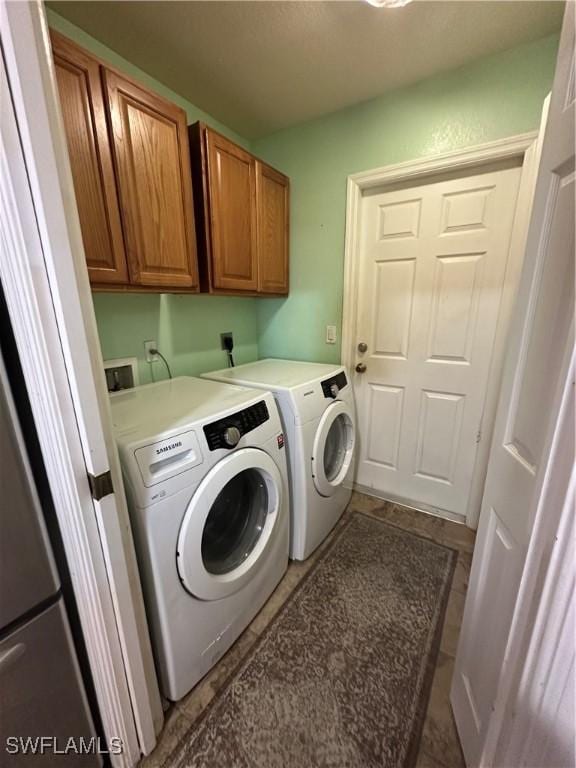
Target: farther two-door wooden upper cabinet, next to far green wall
(242, 210)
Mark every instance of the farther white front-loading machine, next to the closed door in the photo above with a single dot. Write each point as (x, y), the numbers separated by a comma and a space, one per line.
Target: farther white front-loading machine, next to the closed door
(317, 409)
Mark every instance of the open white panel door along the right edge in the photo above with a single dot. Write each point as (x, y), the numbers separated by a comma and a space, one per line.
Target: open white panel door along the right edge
(538, 354)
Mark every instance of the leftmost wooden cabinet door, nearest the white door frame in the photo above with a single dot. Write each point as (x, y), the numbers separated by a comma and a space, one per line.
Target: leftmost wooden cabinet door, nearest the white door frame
(82, 103)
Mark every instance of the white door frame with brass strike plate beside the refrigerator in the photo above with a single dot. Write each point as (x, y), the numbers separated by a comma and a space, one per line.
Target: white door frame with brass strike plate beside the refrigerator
(44, 276)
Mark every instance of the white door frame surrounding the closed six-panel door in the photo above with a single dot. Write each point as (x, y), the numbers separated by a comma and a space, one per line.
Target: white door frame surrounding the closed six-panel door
(524, 147)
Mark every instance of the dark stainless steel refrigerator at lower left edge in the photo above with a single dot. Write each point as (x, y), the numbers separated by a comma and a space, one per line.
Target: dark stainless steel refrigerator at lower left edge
(42, 693)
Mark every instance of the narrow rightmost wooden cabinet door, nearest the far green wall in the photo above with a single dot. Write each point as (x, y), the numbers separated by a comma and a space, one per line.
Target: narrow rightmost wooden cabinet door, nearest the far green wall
(273, 195)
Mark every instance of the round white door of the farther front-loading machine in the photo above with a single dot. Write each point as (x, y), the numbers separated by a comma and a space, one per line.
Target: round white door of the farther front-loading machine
(333, 448)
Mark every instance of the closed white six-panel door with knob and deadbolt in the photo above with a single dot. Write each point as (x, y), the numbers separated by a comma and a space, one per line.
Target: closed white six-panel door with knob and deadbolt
(433, 262)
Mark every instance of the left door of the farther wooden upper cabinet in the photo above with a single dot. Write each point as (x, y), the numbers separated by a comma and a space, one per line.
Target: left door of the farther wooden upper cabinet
(232, 185)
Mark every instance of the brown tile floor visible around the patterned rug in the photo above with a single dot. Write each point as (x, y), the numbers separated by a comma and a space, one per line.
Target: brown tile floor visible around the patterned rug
(439, 747)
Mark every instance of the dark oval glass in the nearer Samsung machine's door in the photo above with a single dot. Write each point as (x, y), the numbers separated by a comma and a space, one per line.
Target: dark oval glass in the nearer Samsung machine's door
(235, 522)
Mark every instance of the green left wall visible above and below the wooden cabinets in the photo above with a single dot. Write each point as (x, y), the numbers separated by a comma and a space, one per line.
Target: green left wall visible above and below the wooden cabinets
(186, 327)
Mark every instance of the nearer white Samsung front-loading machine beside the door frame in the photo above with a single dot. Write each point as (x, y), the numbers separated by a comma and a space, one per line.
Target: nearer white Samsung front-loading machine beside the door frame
(207, 486)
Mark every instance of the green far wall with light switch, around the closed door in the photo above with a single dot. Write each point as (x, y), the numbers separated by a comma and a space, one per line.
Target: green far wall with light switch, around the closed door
(495, 97)
